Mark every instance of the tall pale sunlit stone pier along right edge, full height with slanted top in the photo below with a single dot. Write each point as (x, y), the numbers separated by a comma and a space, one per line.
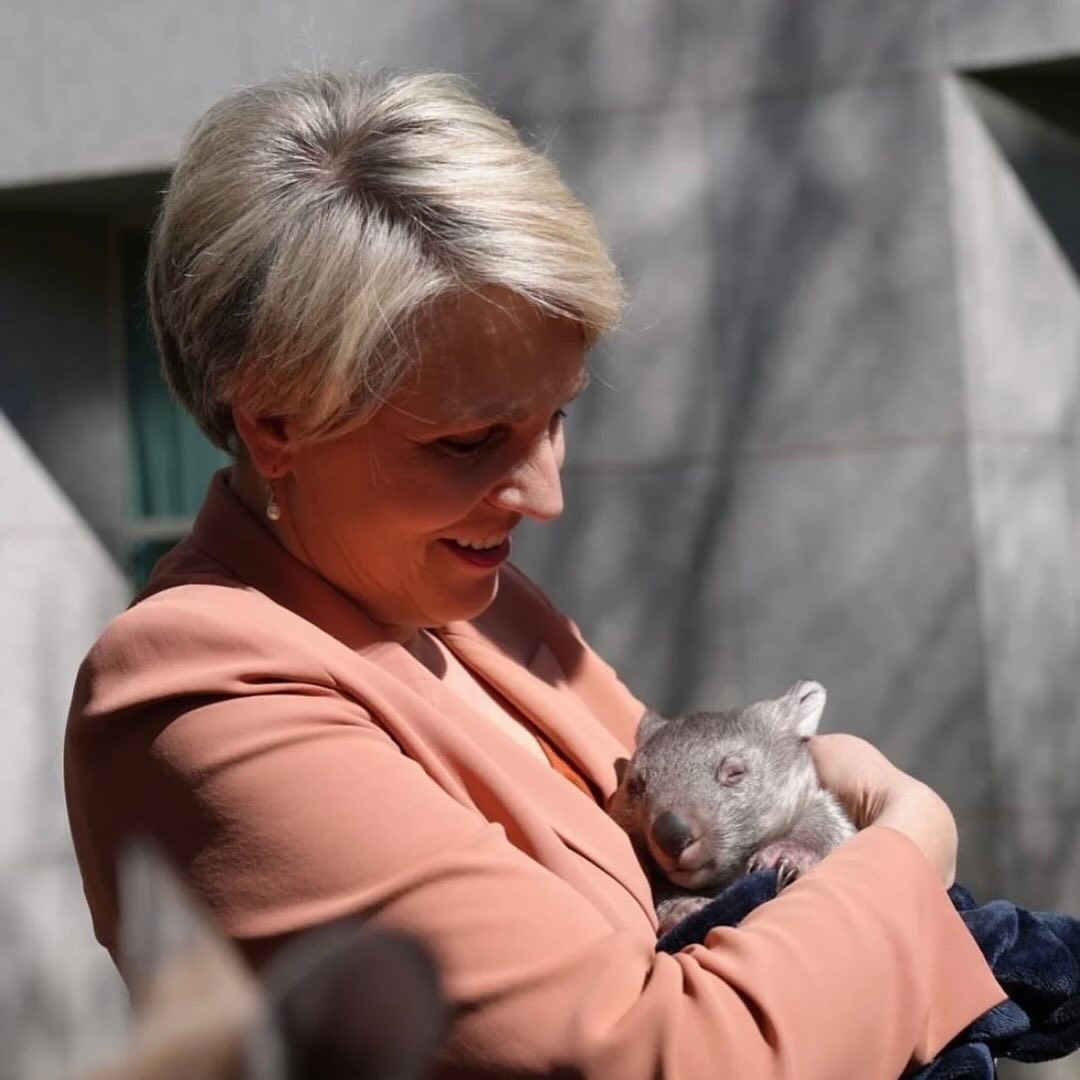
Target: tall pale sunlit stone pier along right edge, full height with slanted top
(1018, 299)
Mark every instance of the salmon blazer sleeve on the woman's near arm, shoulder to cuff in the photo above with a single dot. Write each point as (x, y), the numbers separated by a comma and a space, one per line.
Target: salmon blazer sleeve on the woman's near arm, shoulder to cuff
(287, 805)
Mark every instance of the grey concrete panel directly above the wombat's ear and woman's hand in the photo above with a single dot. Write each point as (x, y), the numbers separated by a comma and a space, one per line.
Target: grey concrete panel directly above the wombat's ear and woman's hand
(860, 572)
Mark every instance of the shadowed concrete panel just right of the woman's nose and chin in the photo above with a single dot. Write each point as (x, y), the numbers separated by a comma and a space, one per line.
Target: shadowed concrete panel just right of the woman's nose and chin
(641, 560)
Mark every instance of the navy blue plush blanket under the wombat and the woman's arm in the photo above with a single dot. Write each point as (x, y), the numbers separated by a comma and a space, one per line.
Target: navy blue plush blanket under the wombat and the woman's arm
(1034, 955)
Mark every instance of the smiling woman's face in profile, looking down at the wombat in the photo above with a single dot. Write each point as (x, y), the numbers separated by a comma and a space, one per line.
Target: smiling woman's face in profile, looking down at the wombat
(411, 515)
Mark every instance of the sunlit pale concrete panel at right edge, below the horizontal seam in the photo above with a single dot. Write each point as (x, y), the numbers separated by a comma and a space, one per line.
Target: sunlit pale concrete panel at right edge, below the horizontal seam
(1029, 595)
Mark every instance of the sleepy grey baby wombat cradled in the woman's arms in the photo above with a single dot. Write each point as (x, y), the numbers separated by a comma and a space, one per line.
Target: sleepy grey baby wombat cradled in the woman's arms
(710, 796)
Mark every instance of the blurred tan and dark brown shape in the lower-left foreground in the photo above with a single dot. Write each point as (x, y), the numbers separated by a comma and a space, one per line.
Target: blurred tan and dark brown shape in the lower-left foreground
(339, 1002)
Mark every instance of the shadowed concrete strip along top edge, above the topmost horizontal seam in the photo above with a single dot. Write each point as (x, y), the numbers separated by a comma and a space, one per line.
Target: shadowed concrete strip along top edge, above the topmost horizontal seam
(568, 56)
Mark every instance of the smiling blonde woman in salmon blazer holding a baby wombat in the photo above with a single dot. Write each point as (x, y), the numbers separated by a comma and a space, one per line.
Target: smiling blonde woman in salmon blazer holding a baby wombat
(339, 697)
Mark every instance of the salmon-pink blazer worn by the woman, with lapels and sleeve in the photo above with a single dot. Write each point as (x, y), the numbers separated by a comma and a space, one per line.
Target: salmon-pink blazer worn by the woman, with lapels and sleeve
(299, 767)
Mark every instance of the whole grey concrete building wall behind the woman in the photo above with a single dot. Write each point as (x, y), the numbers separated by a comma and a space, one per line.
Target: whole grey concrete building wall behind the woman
(835, 439)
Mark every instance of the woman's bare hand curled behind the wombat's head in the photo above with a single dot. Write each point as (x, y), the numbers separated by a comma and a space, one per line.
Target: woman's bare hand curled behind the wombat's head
(875, 792)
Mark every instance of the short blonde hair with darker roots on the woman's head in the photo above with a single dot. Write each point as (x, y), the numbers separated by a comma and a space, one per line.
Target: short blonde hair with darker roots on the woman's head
(309, 223)
